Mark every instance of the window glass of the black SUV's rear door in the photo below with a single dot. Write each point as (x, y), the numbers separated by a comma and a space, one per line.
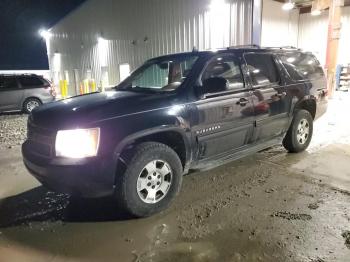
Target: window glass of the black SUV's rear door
(262, 69)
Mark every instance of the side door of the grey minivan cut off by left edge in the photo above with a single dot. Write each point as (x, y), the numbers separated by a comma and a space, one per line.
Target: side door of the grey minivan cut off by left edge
(10, 94)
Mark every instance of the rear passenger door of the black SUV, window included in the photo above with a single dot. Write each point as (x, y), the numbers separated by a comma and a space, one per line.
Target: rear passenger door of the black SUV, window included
(271, 105)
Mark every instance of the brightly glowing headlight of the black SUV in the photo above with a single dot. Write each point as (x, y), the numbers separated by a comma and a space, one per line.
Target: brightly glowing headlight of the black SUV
(77, 143)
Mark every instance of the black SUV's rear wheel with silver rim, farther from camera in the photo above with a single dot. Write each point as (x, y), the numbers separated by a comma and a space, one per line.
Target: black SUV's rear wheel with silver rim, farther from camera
(299, 133)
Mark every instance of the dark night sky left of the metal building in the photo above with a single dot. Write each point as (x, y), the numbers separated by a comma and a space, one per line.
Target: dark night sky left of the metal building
(20, 45)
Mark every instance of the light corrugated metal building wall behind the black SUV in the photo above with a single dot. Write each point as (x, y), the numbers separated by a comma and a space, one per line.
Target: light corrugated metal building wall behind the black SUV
(135, 30)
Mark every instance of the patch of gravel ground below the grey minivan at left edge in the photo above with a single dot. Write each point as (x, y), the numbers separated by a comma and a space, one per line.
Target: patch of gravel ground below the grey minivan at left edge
(13, 129)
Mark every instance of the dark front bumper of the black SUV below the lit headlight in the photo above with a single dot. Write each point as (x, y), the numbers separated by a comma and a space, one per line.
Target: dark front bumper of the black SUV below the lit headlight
(89, 177)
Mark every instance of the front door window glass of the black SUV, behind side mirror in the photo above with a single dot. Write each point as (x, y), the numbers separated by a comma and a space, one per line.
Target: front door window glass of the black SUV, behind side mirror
(225, 67)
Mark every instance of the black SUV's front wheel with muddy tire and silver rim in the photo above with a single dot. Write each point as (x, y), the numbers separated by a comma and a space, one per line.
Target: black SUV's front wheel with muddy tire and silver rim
(151, 180)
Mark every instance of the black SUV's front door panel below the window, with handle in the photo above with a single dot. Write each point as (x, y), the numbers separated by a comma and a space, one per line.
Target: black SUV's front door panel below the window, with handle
(224, 125)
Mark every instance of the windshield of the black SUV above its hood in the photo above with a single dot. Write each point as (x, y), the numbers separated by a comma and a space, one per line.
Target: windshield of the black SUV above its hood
(164, 74)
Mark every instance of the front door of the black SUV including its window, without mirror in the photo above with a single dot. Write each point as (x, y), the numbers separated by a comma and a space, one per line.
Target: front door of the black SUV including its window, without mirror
(223, 121)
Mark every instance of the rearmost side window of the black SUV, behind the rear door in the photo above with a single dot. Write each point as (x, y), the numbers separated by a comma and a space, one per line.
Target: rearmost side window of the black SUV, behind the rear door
(301, 66)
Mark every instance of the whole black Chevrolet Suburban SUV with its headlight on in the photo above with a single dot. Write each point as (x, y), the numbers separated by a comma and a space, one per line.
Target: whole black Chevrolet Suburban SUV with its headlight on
(175, 113)
